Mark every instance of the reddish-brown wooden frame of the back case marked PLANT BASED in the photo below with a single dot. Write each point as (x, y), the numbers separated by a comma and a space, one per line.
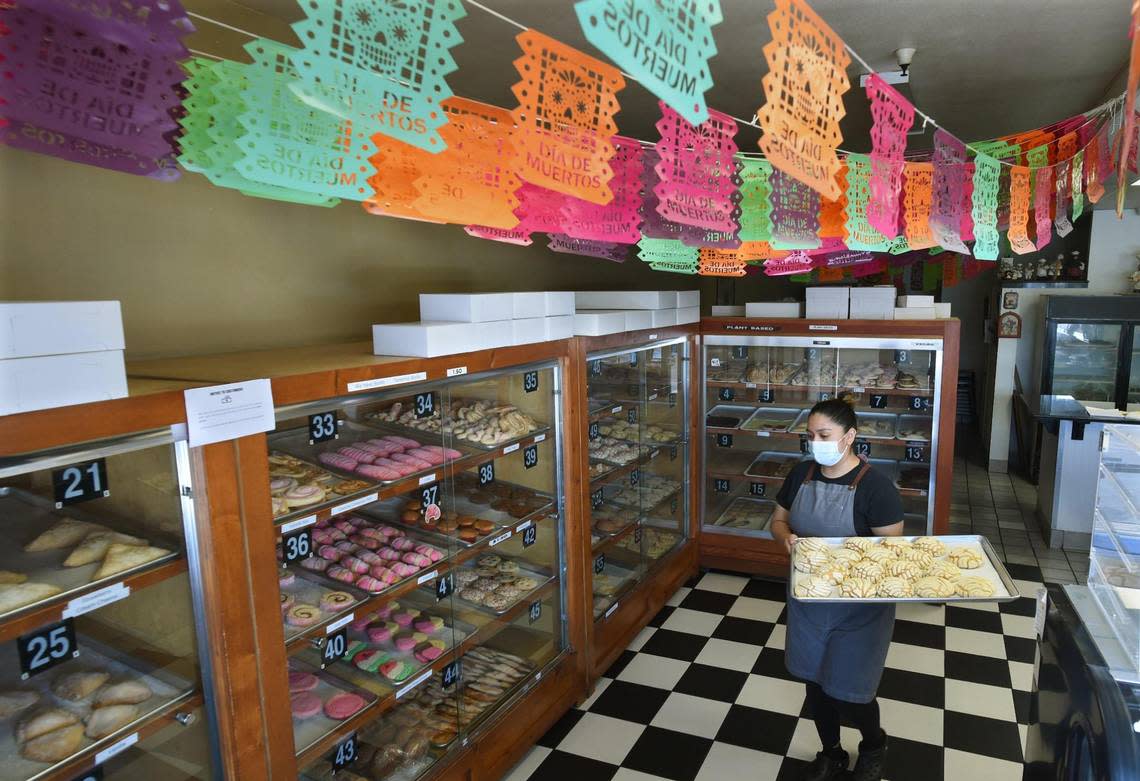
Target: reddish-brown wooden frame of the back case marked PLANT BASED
(758, 556)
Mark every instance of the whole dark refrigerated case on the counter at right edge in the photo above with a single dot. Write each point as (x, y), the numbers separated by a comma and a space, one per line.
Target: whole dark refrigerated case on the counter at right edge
(1090, 349)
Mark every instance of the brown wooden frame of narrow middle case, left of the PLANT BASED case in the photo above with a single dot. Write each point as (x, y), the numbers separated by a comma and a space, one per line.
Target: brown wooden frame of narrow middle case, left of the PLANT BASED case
(607, 638)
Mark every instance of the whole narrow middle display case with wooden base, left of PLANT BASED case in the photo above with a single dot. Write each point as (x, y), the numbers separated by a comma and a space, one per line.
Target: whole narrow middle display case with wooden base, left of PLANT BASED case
(638, 441)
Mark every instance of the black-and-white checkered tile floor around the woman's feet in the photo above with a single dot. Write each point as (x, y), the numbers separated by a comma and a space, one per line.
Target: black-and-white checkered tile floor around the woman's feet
(703, 695)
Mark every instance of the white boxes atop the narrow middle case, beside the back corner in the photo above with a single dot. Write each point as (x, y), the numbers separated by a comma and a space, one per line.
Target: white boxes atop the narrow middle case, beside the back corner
(600, 313)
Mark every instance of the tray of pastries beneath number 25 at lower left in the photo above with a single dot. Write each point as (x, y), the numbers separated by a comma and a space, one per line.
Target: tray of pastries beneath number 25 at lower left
(117, 697)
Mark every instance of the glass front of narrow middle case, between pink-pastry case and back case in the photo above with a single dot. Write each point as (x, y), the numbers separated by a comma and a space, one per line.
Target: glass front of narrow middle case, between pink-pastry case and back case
(638, 438)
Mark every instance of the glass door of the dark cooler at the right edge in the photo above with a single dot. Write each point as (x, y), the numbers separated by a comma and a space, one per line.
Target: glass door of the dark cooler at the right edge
(1086, 359)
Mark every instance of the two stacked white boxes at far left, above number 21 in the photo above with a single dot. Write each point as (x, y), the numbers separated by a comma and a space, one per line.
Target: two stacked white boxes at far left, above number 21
(59, 353)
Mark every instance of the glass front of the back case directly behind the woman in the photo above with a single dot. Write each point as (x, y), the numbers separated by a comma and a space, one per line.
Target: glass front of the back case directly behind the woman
(758, 395)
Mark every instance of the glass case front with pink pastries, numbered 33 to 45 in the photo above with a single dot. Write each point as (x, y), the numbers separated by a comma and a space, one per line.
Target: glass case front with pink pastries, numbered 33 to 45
(421, 555)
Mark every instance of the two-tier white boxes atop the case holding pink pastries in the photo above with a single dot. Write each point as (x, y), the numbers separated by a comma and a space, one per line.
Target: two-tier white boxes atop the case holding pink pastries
(467, 322)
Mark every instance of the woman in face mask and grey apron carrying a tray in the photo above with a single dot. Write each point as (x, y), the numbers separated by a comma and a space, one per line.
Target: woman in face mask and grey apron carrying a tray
(838, 650)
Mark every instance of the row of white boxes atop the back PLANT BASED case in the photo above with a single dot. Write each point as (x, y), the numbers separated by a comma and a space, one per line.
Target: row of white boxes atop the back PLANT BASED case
(837, 303)
